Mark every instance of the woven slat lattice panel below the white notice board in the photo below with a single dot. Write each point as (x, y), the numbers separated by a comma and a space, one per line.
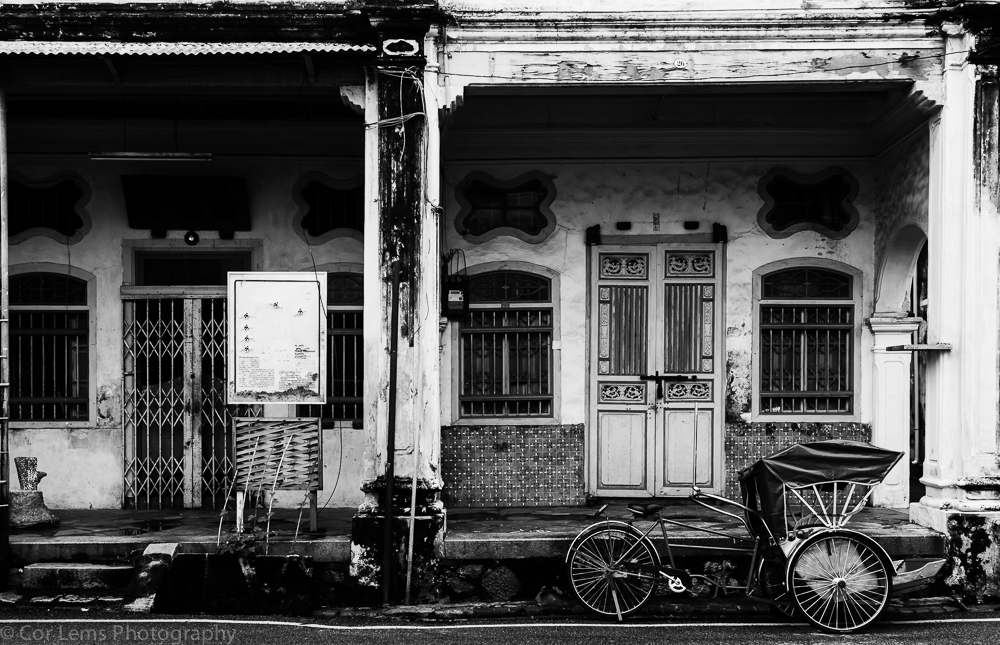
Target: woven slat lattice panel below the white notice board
(261, 444)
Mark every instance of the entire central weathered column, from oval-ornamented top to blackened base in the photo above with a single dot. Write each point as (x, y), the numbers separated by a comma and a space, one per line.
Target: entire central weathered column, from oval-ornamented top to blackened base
(402, 157)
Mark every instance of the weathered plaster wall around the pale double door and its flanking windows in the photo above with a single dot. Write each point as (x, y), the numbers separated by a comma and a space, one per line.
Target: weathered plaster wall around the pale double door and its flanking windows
(670, 193)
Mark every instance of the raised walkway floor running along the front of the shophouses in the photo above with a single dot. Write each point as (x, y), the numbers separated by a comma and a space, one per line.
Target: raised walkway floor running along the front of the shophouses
(470, 534)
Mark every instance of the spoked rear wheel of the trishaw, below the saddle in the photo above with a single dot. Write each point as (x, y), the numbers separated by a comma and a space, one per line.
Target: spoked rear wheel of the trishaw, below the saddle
(610, 569)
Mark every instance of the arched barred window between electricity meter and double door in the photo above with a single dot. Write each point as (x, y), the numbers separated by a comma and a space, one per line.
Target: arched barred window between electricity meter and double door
(506, 347)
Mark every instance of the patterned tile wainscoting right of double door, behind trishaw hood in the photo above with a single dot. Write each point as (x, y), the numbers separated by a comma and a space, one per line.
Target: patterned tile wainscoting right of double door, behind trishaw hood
(748, 442)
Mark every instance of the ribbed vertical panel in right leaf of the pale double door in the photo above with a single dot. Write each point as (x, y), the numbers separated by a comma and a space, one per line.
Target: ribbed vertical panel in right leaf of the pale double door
(683, 329)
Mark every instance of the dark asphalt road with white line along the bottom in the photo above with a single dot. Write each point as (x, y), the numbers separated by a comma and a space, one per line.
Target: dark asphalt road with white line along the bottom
(76, 627)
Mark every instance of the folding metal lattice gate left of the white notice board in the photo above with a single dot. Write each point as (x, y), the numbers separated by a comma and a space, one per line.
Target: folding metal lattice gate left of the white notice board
(178, 428)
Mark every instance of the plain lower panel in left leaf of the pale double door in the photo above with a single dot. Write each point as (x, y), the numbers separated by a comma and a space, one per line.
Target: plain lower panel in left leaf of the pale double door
(622, 441)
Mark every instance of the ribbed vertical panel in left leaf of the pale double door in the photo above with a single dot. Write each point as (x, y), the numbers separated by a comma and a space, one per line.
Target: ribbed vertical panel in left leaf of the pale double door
(628, 335)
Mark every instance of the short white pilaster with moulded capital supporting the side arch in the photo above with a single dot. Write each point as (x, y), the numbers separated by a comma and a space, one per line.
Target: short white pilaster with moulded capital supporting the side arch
(891, 427)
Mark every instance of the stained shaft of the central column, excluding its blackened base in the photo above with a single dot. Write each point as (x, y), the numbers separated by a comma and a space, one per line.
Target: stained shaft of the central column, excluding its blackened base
(401, 225)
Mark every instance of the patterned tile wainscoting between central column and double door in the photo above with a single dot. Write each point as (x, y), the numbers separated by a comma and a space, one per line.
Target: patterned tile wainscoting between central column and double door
(512, 465)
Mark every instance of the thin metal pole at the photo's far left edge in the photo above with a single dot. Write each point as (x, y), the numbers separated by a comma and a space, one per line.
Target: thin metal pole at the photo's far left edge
(4, 346)
